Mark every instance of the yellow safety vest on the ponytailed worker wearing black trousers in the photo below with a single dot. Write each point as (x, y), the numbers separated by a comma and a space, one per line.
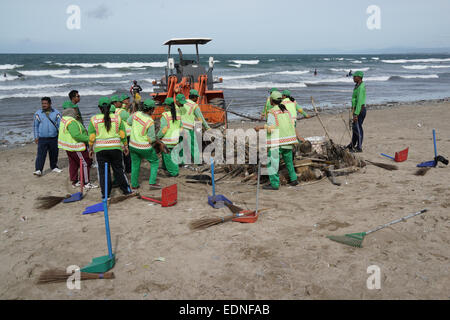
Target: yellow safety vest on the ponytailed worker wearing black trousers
(106, 139)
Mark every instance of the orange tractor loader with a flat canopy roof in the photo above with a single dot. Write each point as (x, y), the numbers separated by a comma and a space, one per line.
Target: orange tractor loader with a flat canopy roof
(191, 75)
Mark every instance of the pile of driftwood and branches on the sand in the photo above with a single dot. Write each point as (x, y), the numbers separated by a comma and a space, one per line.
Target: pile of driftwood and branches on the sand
(310, 165)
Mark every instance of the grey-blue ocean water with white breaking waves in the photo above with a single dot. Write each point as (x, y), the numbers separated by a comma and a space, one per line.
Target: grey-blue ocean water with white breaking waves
(25, 78)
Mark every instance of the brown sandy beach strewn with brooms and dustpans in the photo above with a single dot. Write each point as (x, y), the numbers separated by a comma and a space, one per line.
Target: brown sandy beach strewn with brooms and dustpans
(285, 255)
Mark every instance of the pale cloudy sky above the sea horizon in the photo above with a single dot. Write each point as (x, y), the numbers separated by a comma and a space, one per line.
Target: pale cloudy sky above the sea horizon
(245, 26)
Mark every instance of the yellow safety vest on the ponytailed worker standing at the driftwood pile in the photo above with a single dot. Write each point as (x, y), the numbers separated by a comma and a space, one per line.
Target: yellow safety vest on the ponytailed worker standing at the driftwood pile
(285, 134)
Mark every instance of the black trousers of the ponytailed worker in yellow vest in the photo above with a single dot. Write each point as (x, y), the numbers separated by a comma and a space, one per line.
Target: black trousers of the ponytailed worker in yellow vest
(114, 160)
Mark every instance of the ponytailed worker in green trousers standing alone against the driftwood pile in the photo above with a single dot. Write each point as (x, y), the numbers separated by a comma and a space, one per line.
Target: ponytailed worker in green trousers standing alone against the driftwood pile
(281, 138)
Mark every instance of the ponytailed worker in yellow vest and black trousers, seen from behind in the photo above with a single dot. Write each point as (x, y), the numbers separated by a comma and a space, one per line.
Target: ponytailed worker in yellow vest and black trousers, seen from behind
(107, 138)
